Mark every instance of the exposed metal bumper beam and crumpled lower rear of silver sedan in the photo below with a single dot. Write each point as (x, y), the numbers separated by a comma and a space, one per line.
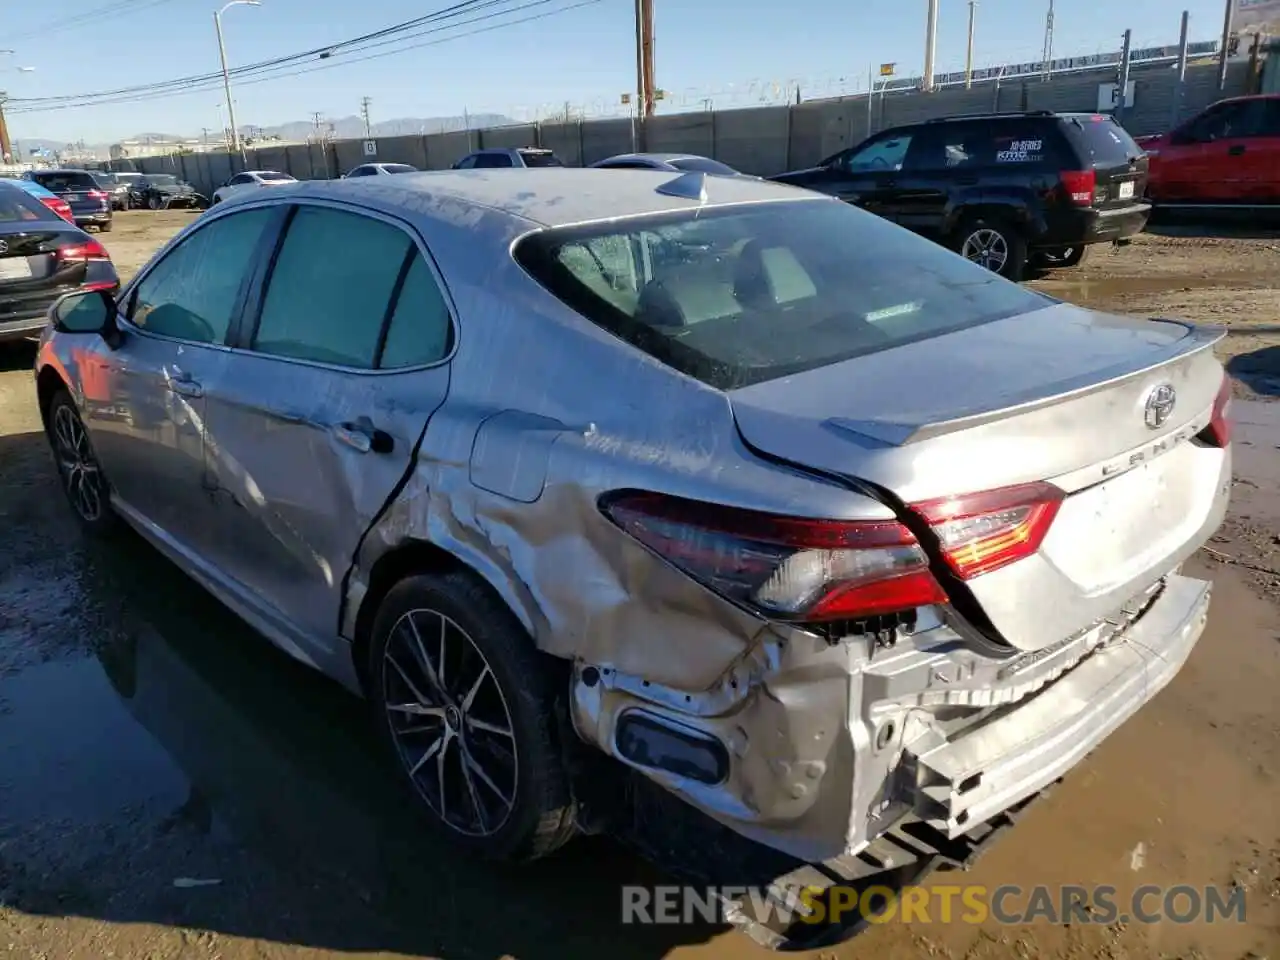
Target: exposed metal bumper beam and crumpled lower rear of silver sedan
(820, 749)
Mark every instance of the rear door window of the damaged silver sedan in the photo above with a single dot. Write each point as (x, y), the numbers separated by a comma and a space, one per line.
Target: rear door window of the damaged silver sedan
(331, 289)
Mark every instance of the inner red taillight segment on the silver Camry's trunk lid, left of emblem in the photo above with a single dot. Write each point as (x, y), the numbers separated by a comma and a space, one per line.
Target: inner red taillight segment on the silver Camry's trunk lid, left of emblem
(985, 532)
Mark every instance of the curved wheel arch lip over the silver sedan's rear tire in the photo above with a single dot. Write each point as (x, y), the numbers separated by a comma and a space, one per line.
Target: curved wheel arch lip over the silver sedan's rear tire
(417, 557)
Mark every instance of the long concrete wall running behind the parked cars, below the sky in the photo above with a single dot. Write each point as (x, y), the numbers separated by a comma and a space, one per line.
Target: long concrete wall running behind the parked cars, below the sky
(764, 141)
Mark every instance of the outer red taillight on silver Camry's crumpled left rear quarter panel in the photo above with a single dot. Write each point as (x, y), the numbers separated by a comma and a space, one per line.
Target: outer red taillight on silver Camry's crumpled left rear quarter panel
(784, 568)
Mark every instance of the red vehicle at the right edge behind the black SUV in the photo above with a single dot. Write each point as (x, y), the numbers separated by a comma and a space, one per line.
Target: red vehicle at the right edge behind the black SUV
(1228, 154)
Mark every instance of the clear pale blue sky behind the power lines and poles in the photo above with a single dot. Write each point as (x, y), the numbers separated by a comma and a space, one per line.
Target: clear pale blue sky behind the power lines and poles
(587, 57)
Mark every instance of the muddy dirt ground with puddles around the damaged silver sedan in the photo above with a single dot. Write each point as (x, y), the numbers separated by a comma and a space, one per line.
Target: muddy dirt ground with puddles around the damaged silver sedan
(171, 787)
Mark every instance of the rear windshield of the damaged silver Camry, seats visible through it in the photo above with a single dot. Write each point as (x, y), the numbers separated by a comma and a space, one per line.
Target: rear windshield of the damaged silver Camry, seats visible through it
(749, 294)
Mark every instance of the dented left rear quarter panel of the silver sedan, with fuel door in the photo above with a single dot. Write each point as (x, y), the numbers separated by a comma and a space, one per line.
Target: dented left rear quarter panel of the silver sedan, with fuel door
(588, 415)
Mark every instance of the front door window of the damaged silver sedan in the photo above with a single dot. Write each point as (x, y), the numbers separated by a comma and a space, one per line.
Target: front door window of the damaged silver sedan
(191, 295)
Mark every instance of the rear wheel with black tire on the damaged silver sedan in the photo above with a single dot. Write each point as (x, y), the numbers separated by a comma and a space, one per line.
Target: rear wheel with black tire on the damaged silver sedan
(510, 687)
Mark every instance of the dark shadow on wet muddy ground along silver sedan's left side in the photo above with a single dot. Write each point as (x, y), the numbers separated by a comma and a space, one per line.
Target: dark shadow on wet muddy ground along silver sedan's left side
(167, 766)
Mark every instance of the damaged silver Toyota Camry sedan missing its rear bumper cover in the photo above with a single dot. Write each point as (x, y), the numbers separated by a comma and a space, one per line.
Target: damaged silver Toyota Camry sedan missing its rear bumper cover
(839, 538)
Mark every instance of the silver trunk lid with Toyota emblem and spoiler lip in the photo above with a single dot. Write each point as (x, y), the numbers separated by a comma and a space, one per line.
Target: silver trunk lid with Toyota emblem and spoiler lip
(1059, 395)
